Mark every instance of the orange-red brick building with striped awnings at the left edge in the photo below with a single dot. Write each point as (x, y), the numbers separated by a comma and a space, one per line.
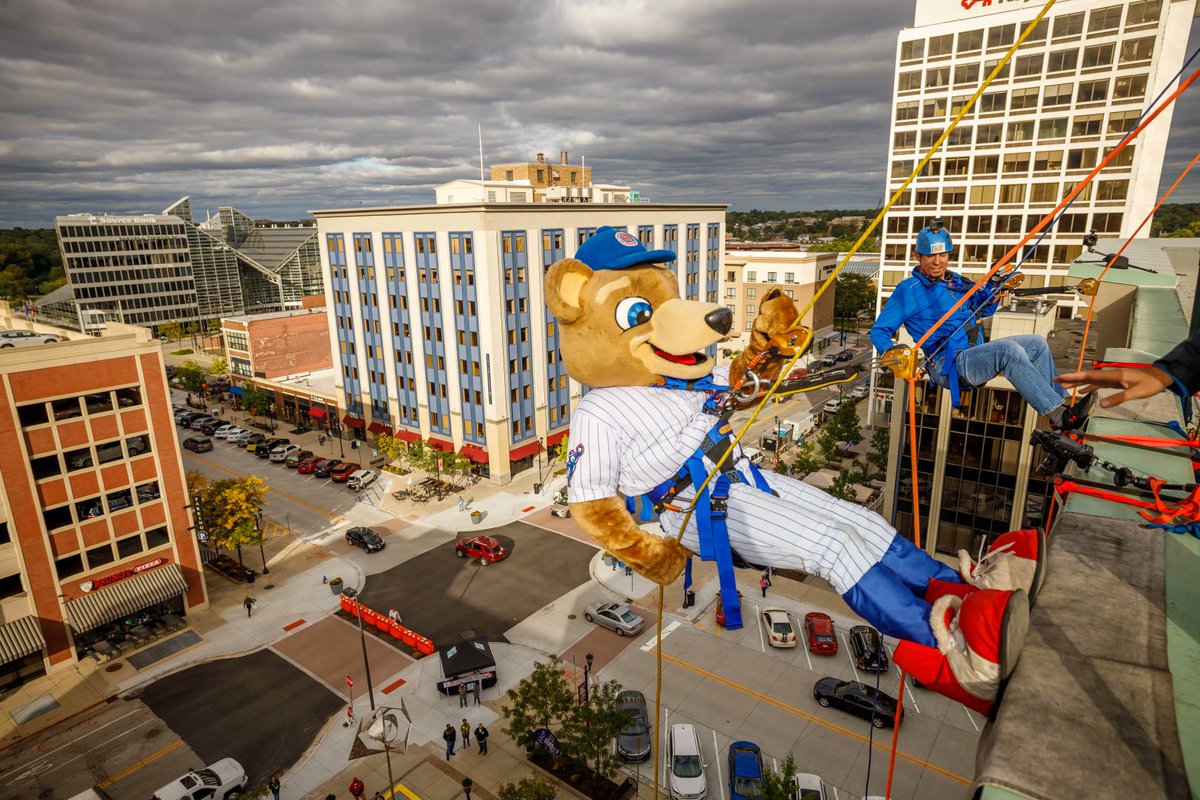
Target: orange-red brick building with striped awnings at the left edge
(94, 522)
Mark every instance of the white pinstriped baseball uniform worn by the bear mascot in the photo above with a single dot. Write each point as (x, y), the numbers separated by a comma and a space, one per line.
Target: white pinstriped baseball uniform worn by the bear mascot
(635, 438)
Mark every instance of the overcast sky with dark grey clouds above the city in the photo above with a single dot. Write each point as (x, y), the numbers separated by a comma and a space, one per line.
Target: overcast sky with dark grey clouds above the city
(278, 107)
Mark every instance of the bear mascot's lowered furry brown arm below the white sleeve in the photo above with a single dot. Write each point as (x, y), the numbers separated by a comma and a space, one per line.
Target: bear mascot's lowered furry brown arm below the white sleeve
(661, 560)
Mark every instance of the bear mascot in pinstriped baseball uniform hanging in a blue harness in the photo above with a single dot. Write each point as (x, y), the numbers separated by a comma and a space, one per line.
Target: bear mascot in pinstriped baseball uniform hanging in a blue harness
(652, 428)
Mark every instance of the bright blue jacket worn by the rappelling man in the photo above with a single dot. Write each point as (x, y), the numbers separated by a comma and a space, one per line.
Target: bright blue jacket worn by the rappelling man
(919, 303)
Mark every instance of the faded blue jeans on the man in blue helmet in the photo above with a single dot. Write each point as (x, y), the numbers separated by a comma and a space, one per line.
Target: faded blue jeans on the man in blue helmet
(1025, 360)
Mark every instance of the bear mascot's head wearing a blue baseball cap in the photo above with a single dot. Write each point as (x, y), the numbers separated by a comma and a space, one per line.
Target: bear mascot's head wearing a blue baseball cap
(622, 321)
